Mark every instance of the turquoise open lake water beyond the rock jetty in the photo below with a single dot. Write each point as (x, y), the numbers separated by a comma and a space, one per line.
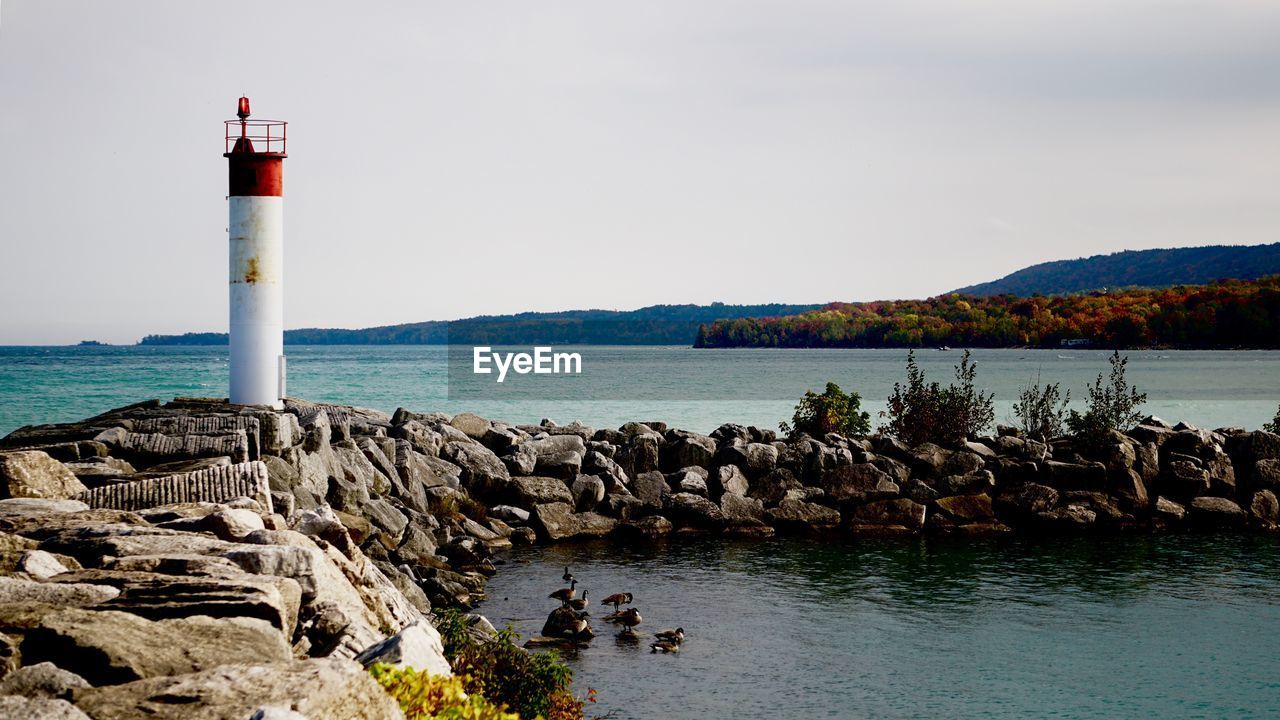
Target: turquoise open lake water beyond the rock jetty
(691, 389)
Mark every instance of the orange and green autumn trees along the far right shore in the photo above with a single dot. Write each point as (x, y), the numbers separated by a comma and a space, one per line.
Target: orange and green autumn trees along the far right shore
(1224, 315)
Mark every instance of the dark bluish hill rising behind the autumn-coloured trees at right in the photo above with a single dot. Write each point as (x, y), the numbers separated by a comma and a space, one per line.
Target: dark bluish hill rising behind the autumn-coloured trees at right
(1139, 268)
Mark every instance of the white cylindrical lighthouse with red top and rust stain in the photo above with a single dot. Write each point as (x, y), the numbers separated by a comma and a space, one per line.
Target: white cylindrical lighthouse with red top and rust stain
(255, 151)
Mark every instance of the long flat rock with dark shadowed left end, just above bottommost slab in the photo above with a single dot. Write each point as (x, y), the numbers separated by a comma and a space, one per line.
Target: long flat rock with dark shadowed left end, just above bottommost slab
(109, 648)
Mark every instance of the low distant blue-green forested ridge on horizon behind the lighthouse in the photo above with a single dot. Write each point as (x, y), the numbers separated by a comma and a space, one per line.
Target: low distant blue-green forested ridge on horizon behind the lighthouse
(657, 325)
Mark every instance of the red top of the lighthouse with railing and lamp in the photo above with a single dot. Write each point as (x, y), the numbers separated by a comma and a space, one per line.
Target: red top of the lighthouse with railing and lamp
(257, 154)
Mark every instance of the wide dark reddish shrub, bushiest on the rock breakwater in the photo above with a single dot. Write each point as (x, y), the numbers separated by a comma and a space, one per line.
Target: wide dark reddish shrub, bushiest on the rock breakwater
(925, 412)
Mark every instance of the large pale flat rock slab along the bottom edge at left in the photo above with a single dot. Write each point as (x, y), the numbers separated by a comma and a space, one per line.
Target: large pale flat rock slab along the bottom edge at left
(318, 690)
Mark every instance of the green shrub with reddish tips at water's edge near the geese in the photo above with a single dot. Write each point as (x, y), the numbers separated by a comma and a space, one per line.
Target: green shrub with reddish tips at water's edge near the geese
(534, 685)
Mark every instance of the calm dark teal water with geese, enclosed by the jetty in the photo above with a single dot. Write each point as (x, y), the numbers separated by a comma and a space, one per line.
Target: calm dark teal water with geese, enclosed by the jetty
(1131, 627)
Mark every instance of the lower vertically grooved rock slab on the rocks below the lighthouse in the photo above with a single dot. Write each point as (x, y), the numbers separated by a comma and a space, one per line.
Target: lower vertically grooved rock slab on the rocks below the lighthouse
(212, 485)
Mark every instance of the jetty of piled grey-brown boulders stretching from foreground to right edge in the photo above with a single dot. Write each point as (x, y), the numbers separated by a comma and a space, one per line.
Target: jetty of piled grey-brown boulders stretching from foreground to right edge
(196, 559)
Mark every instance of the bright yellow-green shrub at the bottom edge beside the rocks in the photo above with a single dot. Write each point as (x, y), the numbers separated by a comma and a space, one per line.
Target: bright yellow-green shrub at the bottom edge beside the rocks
(426, 698)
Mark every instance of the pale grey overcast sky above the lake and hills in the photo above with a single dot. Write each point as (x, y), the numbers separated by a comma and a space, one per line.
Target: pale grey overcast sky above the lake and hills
(452, 160)
